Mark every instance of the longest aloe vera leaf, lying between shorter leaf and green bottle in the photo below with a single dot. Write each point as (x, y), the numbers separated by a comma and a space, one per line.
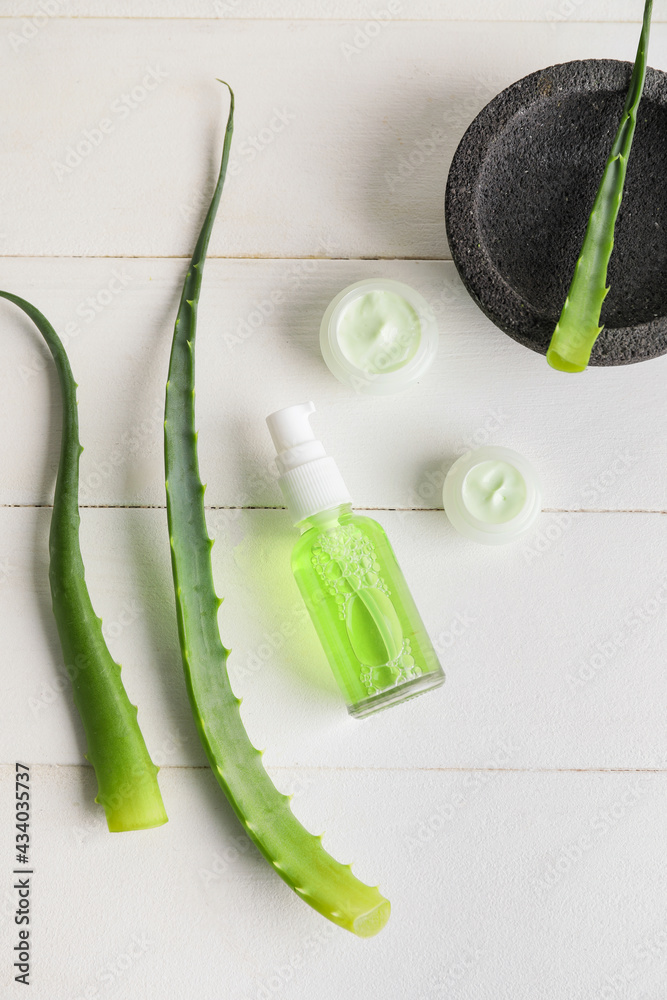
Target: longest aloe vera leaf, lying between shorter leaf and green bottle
(296, 855)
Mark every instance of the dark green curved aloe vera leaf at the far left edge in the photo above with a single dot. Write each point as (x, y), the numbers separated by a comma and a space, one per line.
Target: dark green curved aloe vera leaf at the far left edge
(126, 775)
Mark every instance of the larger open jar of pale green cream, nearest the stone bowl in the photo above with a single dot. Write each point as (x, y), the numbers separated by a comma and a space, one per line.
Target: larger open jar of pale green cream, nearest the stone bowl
(378, 336)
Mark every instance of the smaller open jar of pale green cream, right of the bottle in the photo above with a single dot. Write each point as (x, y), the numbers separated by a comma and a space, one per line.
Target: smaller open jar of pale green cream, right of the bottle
(492, 495)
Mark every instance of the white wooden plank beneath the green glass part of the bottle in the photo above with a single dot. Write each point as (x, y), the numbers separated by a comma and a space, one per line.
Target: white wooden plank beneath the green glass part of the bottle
(552, 646)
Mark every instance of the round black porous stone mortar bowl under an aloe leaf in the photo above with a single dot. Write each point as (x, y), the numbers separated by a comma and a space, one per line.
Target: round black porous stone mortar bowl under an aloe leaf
(520, 190)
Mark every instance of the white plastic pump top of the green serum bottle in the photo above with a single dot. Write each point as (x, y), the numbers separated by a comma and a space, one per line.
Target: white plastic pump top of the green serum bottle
(309, 480)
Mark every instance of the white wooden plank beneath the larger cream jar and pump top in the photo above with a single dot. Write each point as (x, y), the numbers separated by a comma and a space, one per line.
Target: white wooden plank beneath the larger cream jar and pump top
(599, 441)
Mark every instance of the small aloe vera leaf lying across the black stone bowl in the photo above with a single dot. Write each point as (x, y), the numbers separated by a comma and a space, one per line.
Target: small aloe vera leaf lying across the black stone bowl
(579, 325)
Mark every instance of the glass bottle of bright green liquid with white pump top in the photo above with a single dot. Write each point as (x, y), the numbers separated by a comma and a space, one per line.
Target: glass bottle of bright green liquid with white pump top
(356, 595)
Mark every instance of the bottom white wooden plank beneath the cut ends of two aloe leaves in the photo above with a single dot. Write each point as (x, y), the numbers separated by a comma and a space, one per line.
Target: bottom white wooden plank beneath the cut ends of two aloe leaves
(528, 880)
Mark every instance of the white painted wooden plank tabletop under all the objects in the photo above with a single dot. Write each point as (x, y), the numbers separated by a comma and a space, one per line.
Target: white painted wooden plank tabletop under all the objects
(516, 819)
